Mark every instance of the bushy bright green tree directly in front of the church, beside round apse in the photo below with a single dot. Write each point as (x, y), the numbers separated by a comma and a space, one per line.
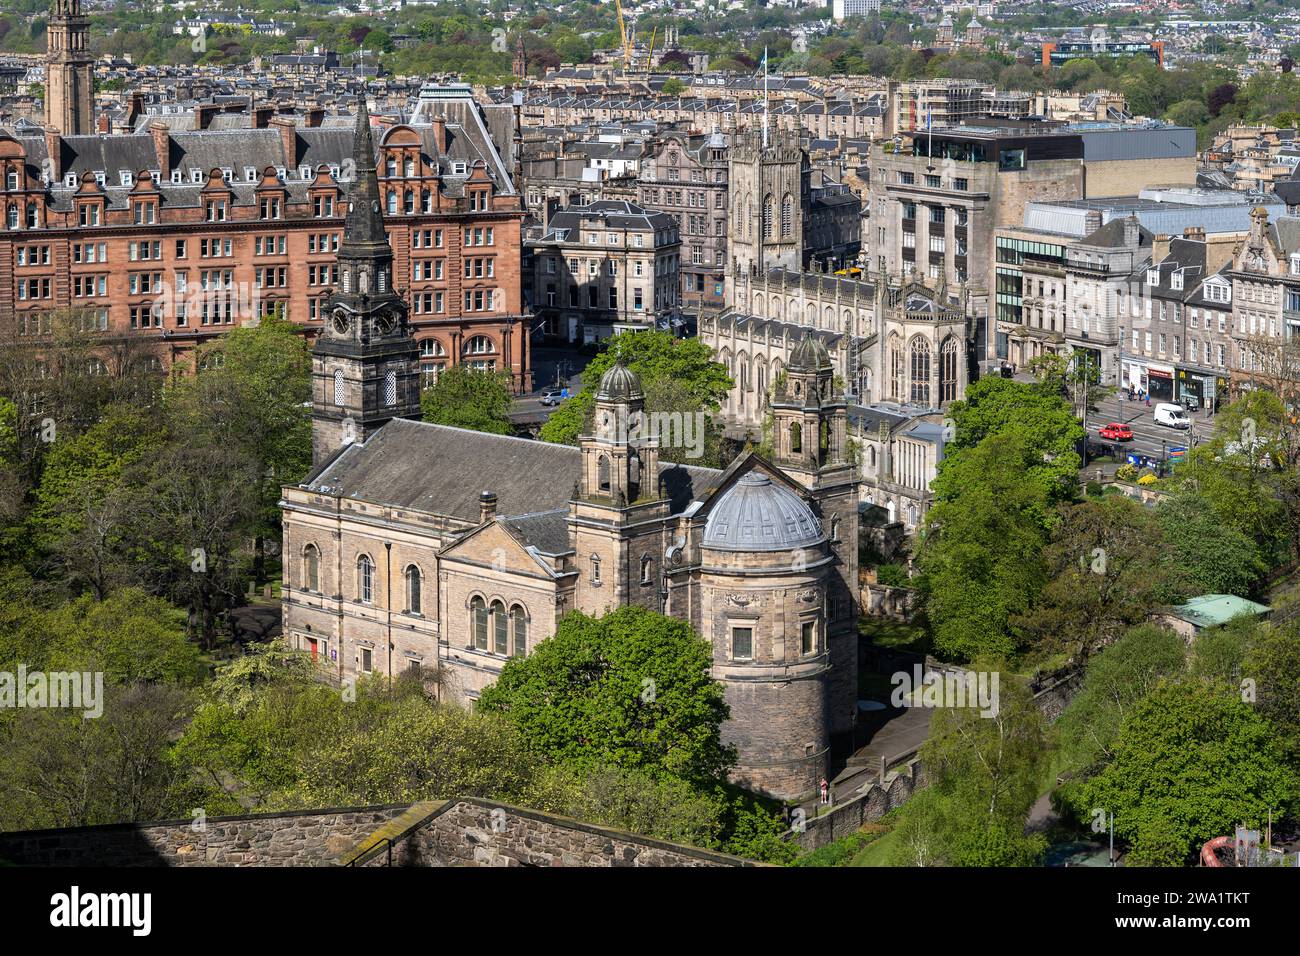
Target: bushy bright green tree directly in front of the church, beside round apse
(630, 690)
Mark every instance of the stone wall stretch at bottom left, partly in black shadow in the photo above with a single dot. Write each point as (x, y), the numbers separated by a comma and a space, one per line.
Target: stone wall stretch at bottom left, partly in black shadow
(310, 838)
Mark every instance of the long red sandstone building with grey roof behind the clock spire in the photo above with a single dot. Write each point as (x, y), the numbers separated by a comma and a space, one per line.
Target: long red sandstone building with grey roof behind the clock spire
(176, 236)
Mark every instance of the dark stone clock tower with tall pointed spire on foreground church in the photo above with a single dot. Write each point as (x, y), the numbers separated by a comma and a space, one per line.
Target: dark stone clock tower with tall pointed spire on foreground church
(366, 361)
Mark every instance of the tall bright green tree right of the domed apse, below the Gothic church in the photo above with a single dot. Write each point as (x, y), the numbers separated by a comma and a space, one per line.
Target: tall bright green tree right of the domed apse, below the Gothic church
(981, 557)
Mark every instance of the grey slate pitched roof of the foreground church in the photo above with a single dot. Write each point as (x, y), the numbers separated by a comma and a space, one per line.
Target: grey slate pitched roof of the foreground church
(443, 470)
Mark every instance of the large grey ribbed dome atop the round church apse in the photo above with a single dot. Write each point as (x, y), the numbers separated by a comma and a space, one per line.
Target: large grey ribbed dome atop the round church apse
(757, 514)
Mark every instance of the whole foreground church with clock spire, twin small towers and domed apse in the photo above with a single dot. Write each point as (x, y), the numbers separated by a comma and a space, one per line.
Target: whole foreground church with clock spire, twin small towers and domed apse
(419, 546)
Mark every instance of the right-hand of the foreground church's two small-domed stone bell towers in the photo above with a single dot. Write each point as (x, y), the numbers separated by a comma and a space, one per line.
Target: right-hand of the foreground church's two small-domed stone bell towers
(811, 444)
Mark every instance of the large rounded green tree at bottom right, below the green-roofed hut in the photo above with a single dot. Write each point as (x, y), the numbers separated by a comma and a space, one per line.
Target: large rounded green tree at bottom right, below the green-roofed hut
(1191, 764)
